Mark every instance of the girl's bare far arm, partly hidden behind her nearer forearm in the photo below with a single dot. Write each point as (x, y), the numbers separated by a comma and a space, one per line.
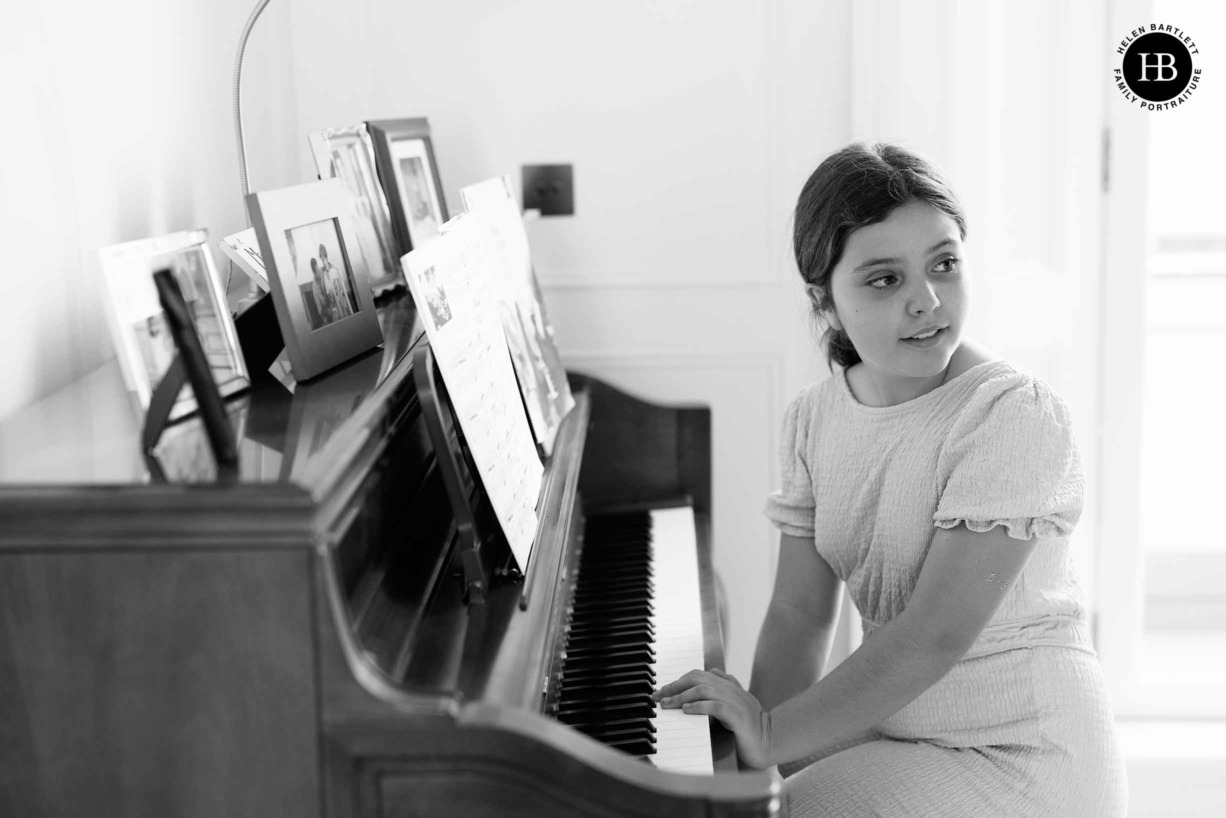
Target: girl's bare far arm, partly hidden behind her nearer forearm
(795, 637)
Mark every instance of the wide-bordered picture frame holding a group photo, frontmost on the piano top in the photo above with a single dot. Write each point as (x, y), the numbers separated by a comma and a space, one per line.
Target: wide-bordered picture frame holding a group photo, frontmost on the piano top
(318, 277)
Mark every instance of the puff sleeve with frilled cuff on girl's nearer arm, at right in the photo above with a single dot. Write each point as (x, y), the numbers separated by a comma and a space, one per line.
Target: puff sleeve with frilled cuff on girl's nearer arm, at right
(1011, 461)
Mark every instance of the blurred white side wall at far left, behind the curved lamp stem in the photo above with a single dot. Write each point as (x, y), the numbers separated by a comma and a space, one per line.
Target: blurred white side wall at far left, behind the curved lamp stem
(118, 127)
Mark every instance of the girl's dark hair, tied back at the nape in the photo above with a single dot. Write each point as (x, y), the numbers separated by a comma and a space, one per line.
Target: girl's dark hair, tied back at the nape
(861, 185)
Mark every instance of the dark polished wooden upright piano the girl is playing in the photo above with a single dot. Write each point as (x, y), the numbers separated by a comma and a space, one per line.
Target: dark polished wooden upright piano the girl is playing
(337, 631)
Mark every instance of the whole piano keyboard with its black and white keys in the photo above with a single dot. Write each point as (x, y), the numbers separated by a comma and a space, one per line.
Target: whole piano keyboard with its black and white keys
(637, 624)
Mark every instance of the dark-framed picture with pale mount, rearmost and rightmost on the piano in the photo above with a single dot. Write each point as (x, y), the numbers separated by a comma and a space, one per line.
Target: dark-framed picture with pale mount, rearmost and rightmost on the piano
(410, 178)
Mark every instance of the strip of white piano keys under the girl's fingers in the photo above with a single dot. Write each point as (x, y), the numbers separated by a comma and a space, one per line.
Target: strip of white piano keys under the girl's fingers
(683, 743)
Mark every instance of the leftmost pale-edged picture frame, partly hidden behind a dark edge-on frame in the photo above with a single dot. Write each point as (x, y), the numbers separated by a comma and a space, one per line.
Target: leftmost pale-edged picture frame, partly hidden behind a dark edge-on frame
(140, 331)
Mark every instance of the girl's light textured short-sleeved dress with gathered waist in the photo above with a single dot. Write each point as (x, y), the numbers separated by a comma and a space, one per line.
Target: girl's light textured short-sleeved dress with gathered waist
(1022, 725)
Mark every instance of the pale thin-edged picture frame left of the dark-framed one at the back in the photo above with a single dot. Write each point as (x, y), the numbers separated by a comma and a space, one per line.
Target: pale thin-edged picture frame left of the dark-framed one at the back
(348, 154)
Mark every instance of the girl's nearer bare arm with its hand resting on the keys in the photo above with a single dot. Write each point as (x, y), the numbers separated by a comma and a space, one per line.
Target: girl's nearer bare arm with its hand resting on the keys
(963, 581)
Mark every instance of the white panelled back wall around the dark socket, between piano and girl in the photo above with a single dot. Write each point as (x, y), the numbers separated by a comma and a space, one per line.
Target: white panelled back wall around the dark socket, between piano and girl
(692, 128)
